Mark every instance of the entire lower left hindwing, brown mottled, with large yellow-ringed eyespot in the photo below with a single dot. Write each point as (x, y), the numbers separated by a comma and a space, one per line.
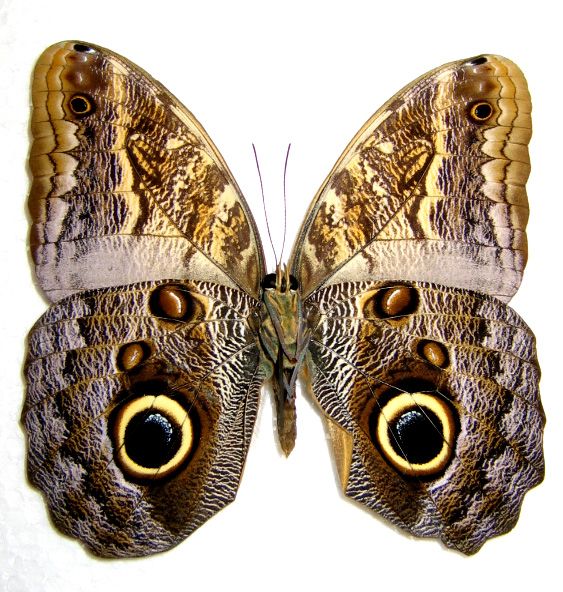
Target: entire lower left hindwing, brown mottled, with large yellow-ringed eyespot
(139, 420)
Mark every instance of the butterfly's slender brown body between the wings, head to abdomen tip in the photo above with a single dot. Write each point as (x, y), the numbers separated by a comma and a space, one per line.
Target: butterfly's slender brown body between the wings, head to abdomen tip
(284, 337)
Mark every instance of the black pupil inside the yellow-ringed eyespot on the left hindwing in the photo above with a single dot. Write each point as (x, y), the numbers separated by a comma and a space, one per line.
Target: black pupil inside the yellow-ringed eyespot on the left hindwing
(151, 439)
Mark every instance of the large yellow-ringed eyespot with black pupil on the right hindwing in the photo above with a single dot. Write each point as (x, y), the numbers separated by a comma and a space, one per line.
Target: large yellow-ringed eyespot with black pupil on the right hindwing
(416, 433)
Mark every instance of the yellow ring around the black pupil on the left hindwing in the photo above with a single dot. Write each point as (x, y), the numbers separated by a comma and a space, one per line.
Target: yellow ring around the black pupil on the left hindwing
(170, 409)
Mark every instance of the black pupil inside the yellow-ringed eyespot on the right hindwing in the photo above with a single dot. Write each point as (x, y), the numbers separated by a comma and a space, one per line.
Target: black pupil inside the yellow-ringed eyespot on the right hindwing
(417, 435)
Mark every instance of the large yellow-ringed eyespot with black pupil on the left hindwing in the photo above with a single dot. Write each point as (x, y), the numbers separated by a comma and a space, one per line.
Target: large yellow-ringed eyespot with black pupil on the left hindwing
(153, 436)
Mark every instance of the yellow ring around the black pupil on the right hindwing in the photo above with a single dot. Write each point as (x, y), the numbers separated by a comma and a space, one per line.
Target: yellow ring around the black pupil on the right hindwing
(405, 402)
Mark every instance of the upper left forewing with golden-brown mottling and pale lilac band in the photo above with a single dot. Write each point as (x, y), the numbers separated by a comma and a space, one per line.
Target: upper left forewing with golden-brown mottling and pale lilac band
(127, 186)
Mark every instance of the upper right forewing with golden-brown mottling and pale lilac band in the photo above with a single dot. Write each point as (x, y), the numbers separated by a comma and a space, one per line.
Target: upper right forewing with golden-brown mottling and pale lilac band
(431, 189)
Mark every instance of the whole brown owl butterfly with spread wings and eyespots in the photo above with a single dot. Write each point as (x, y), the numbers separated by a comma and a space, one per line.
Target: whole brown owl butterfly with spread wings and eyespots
(143, 377)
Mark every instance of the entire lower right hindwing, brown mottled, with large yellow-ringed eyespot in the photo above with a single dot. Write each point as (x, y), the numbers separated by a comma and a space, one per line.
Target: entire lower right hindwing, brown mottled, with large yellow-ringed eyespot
(431, 398)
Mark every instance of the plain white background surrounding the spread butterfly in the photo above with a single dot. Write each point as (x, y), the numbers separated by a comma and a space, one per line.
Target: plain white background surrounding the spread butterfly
(271, 73)
